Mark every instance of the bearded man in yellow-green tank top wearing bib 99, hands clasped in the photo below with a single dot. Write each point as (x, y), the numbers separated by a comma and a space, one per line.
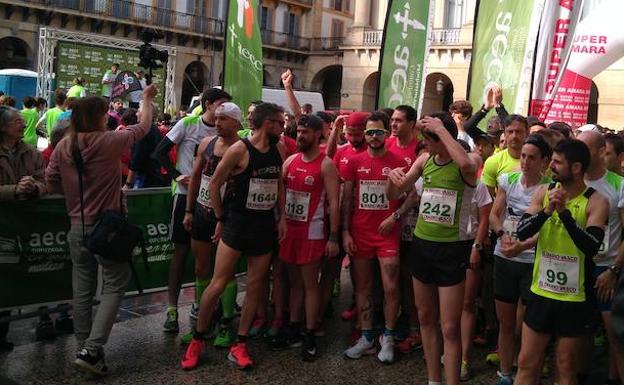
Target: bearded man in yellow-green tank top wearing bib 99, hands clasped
(569, 219)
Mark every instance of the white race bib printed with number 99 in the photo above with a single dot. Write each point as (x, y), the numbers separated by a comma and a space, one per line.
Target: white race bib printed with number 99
(559, 274)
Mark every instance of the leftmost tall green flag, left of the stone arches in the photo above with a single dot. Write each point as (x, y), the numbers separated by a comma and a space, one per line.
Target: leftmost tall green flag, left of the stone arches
(242, 67)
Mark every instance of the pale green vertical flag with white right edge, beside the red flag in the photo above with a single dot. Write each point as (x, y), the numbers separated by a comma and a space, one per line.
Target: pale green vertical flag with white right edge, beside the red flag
(503, 48)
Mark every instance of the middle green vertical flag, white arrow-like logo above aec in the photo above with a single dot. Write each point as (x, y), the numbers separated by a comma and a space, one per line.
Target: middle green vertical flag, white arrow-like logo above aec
(404, 53)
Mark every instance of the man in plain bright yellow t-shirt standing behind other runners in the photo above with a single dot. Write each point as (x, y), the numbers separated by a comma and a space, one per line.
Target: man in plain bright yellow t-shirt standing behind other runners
(507, 160)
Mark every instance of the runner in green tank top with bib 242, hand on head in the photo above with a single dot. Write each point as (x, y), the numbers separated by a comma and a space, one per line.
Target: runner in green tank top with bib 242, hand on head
(440, 250)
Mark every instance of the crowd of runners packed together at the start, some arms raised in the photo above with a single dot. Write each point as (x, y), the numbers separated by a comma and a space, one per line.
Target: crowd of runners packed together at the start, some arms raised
(453, 235)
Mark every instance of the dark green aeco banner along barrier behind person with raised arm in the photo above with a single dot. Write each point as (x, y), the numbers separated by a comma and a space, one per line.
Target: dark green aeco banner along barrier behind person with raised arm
(35, 266)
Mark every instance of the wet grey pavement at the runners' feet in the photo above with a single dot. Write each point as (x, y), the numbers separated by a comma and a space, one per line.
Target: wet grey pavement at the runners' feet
(139, 352)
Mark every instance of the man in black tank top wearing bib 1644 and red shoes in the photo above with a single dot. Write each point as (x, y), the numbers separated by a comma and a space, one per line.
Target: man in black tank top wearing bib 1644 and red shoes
(246, 217)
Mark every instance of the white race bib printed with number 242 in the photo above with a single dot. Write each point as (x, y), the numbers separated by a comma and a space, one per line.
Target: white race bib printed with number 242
(438, 205)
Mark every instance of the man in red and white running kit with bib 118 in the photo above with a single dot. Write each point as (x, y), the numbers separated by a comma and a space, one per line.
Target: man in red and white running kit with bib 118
(311, 182)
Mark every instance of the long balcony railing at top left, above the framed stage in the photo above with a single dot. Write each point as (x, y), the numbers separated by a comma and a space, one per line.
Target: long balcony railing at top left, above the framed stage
(139, 13)
